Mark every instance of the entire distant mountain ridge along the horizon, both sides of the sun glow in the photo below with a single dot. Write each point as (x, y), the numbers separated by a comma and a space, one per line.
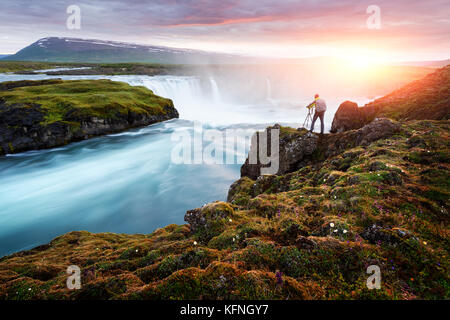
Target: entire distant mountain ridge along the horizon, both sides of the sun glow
(106, 51)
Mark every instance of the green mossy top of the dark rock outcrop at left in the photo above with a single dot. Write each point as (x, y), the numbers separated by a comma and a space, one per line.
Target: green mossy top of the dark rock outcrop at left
(86, 98)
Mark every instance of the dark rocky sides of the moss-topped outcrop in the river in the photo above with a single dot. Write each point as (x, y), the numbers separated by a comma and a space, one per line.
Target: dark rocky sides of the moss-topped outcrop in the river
(23, 126)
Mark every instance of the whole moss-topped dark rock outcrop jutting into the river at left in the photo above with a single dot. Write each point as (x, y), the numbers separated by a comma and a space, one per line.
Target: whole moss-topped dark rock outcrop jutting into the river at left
(50, 113)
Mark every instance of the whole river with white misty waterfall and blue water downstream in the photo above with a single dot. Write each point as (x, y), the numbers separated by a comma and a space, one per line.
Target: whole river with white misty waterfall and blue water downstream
(126, 182)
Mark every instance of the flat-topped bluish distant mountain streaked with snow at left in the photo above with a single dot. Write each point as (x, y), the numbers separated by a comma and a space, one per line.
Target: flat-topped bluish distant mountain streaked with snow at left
(81, 50)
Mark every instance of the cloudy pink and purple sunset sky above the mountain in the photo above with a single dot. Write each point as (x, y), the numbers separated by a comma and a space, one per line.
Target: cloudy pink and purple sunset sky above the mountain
(407, 30)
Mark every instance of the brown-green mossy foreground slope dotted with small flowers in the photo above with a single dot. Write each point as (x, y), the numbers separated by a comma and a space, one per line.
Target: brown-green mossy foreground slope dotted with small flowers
(320, 227)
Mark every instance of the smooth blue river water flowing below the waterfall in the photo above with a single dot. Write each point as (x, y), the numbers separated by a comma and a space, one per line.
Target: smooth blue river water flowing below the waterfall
(122, 183)
